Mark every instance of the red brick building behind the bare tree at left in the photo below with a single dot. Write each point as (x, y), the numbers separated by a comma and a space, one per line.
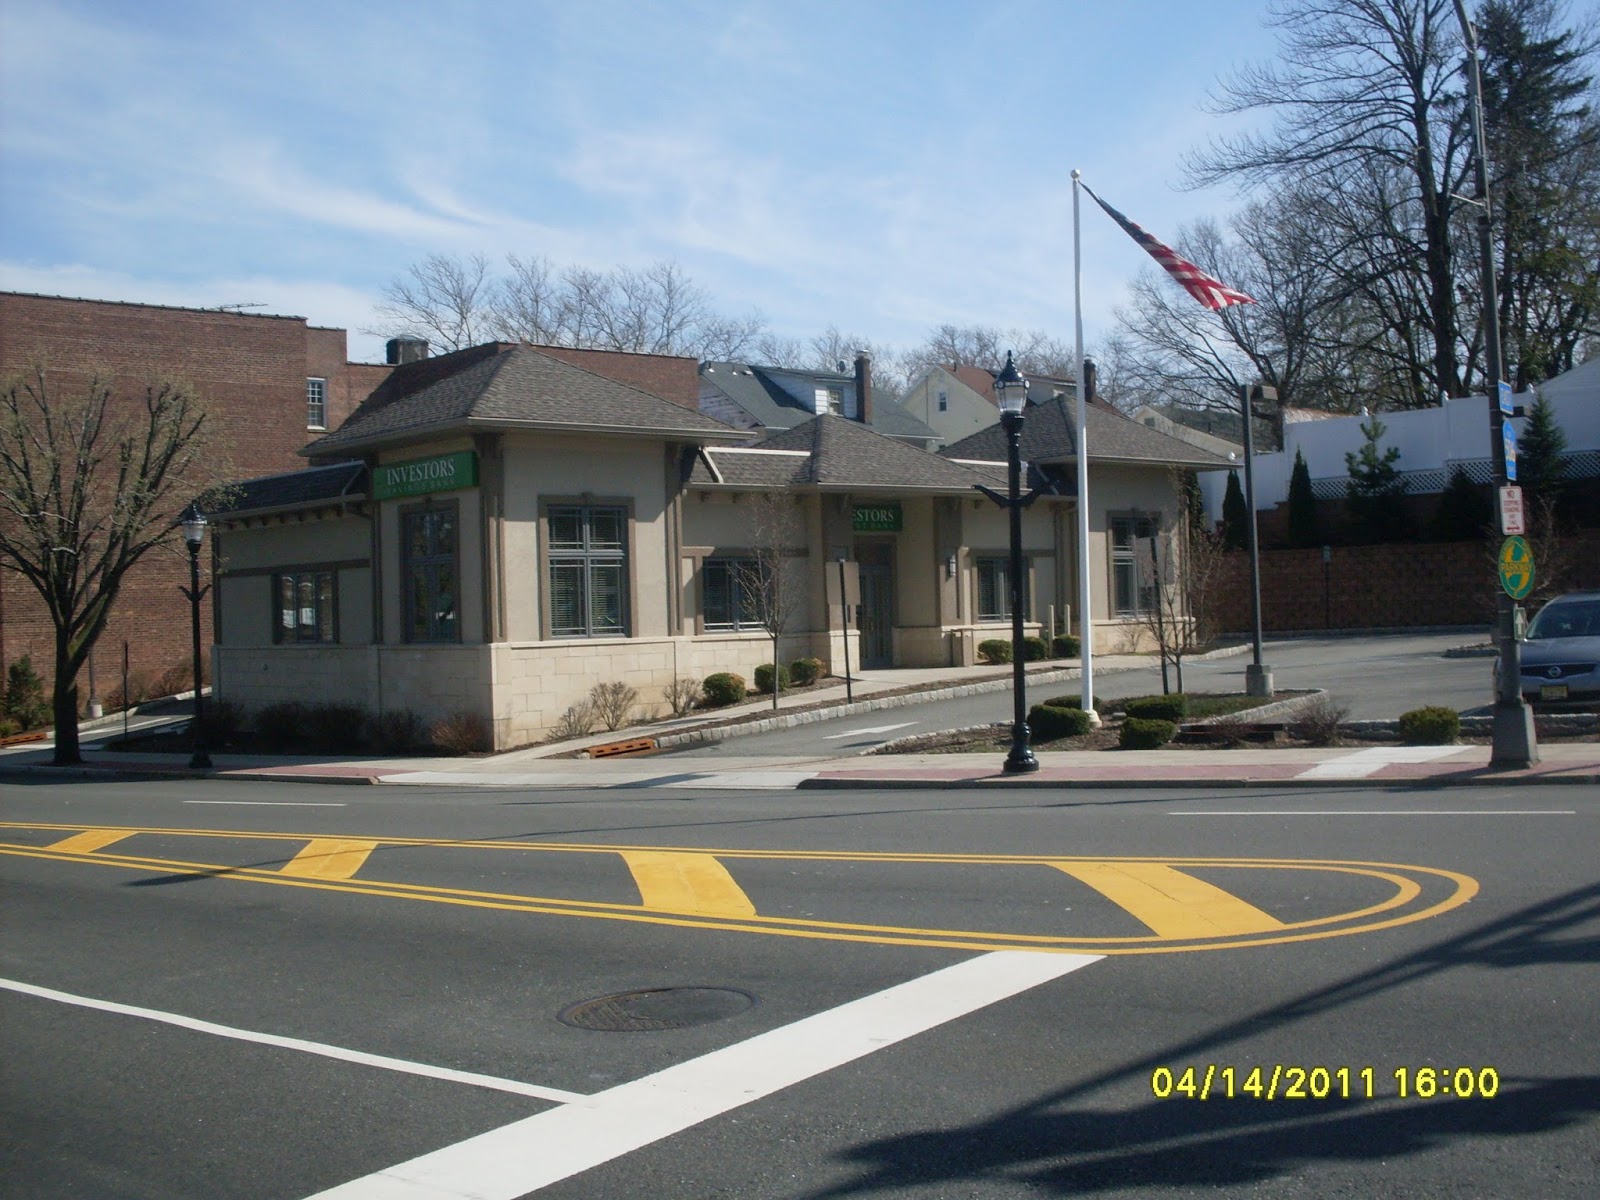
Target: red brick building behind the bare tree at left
(268, 383)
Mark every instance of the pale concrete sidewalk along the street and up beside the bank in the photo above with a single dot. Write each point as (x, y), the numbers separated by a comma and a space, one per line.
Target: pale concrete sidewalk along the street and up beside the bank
(564, 767)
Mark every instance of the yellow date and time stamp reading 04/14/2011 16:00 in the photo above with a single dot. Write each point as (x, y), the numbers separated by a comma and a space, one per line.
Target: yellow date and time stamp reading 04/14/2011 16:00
(1214, 1081)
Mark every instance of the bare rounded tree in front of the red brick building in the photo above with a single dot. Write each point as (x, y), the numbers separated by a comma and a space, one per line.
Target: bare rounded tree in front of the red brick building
(89, 486)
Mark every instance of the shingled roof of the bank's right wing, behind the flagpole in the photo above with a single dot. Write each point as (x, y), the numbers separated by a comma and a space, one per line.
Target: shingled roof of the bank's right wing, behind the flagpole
(1050, 436)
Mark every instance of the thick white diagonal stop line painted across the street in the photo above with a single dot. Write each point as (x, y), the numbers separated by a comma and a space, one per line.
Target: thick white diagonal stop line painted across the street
(537, 1151)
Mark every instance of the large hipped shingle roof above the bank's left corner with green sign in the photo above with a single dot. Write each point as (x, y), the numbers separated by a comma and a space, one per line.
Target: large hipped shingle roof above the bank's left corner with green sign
(505, 386)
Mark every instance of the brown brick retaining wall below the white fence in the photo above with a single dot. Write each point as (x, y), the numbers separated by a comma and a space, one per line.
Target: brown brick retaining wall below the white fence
(1398, 586)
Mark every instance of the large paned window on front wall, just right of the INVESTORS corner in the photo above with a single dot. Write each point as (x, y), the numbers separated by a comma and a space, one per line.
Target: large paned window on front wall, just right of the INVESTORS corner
(588, 572)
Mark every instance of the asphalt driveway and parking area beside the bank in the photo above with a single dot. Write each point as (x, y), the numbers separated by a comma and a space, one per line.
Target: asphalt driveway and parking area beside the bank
(1374, 678)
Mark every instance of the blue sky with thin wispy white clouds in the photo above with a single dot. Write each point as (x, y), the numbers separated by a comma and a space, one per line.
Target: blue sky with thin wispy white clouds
(884, 167)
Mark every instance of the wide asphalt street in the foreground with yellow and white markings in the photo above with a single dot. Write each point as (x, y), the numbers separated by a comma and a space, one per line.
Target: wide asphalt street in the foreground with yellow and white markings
(906, 994)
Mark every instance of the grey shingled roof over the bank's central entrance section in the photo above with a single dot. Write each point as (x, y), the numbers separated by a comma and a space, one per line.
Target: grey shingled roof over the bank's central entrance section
(833, 454)
